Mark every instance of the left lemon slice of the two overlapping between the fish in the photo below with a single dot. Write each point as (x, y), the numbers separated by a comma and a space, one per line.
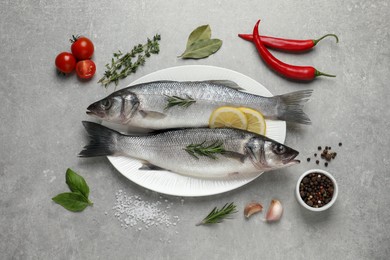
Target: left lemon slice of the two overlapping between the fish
(228, 117)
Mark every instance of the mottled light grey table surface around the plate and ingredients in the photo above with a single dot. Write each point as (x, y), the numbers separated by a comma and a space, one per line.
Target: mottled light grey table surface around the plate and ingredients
(41, 131)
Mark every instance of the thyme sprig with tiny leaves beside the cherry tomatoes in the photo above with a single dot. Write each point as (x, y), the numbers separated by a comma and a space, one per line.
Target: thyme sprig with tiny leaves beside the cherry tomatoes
(123, 65)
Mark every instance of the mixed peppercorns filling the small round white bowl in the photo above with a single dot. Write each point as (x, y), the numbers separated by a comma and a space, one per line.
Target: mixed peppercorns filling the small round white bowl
(316, 193)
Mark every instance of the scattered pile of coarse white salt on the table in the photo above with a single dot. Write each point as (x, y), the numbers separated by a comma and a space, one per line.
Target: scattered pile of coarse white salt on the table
(134, 211)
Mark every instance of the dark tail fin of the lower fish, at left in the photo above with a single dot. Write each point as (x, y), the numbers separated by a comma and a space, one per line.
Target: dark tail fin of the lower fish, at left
(102, 140)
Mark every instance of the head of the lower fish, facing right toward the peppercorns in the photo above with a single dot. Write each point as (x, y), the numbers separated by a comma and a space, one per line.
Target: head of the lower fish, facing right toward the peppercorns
(267, 154)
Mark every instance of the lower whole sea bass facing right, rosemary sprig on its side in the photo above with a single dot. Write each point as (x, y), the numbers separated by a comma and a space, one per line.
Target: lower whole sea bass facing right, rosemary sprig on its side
(196, 152)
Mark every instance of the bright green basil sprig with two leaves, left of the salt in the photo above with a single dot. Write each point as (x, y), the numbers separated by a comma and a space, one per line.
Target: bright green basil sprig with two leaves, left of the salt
(77, 200)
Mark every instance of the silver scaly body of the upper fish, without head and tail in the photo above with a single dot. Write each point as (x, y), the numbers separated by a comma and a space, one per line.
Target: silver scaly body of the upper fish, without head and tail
(208, 97)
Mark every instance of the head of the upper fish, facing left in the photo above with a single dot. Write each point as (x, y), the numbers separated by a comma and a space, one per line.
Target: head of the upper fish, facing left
(116, 108)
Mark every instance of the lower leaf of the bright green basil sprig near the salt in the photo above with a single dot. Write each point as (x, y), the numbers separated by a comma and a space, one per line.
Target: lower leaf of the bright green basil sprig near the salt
(72, 201)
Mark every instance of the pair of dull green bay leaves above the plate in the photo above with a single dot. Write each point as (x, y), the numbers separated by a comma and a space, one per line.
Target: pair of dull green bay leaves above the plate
(200, 45)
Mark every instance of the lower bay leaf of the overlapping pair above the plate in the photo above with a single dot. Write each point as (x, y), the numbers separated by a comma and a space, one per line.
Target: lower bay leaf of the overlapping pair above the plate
(202, 49)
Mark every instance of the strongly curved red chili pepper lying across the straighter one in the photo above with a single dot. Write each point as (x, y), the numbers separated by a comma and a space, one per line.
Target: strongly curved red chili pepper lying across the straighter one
(287, 70)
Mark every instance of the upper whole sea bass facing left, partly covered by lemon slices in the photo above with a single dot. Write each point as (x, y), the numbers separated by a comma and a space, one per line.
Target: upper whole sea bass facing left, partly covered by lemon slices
(173, 104)
